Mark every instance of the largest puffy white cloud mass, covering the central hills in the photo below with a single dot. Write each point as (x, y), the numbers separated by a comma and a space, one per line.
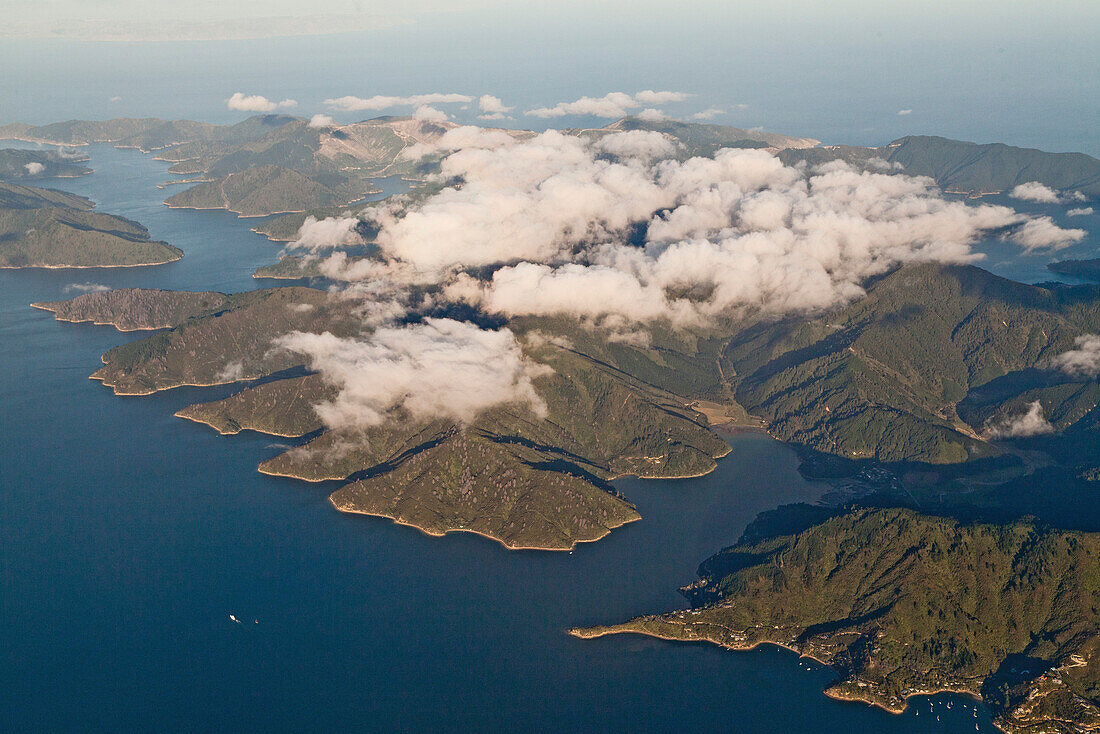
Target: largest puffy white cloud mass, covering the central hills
(553, 216)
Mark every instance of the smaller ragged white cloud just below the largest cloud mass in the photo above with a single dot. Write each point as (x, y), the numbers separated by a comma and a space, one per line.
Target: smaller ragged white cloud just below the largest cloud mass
(438, 369)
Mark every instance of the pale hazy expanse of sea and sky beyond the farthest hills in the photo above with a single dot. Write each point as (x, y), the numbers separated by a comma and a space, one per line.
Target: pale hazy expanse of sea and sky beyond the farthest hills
(849, 72)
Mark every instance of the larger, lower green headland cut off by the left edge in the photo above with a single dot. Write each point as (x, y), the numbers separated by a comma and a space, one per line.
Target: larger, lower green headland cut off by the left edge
(46, 228)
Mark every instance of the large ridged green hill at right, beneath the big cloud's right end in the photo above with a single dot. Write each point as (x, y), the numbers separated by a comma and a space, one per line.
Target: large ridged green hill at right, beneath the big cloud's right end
(883, 378)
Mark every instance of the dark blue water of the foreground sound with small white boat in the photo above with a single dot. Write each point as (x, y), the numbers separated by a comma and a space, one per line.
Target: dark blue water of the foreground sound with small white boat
(128, 538)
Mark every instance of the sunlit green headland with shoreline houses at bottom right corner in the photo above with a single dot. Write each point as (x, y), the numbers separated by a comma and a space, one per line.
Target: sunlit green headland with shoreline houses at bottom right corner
(903, 605)
